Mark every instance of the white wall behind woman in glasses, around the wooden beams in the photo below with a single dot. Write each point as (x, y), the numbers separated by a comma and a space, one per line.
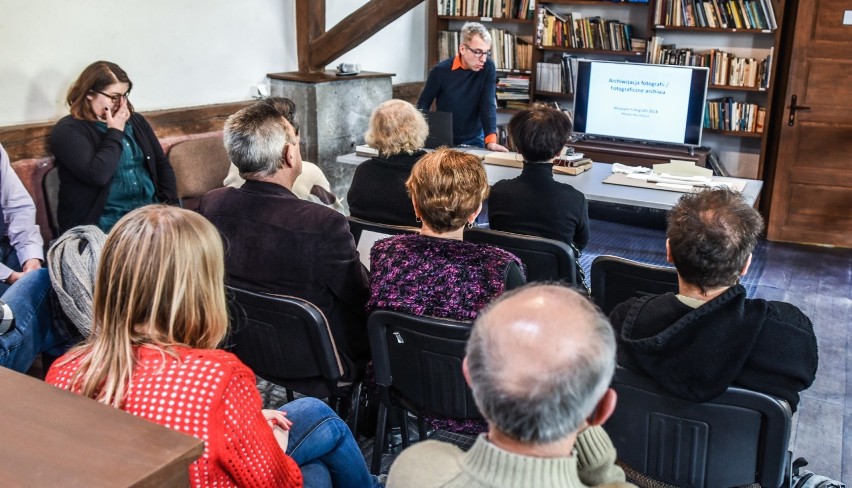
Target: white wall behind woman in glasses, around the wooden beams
(178, 53)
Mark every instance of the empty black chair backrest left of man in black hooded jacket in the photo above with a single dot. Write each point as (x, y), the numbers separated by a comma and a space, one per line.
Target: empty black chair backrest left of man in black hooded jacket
(615, 280)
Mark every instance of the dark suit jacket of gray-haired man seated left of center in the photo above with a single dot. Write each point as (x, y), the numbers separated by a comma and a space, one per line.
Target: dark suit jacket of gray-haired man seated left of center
(277, 243)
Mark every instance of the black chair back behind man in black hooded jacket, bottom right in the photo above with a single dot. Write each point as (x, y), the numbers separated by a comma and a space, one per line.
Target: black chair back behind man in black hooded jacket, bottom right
(737, 439)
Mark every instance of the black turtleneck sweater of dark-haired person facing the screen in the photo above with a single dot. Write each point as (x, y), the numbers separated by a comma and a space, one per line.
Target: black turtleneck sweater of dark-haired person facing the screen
(535, 204)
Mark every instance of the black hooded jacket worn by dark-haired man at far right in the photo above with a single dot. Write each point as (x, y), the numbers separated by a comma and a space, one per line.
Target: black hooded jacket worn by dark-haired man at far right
(695, 354)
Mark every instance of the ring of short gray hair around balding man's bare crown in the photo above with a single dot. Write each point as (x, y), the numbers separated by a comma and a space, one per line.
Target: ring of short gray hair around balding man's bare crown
(557, 402)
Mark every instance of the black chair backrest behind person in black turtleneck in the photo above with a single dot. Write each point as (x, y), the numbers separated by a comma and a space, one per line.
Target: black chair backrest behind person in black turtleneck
(545, 259)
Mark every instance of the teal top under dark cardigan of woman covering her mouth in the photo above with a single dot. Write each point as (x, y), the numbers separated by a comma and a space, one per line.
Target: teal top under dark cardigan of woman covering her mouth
(132, 186)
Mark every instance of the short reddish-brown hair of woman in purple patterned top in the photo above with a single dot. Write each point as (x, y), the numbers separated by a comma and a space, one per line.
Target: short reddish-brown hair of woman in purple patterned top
(447, 187)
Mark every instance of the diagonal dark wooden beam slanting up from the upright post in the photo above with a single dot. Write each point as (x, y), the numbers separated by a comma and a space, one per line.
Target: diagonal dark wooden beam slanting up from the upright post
(356, 28)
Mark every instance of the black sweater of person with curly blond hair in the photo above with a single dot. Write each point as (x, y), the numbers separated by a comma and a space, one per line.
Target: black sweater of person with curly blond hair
(378, 194)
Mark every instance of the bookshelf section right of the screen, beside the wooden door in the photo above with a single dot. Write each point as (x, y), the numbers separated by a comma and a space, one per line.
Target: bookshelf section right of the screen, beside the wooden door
(738, 41)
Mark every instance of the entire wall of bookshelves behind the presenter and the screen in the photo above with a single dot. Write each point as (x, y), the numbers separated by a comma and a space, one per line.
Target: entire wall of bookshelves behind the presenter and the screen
(737, 39)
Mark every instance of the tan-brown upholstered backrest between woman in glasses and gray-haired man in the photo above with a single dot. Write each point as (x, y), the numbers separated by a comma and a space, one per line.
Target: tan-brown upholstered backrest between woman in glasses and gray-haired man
(200, 165)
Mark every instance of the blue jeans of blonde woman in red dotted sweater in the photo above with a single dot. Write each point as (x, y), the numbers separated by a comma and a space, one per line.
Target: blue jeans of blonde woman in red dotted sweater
(323, 447)
